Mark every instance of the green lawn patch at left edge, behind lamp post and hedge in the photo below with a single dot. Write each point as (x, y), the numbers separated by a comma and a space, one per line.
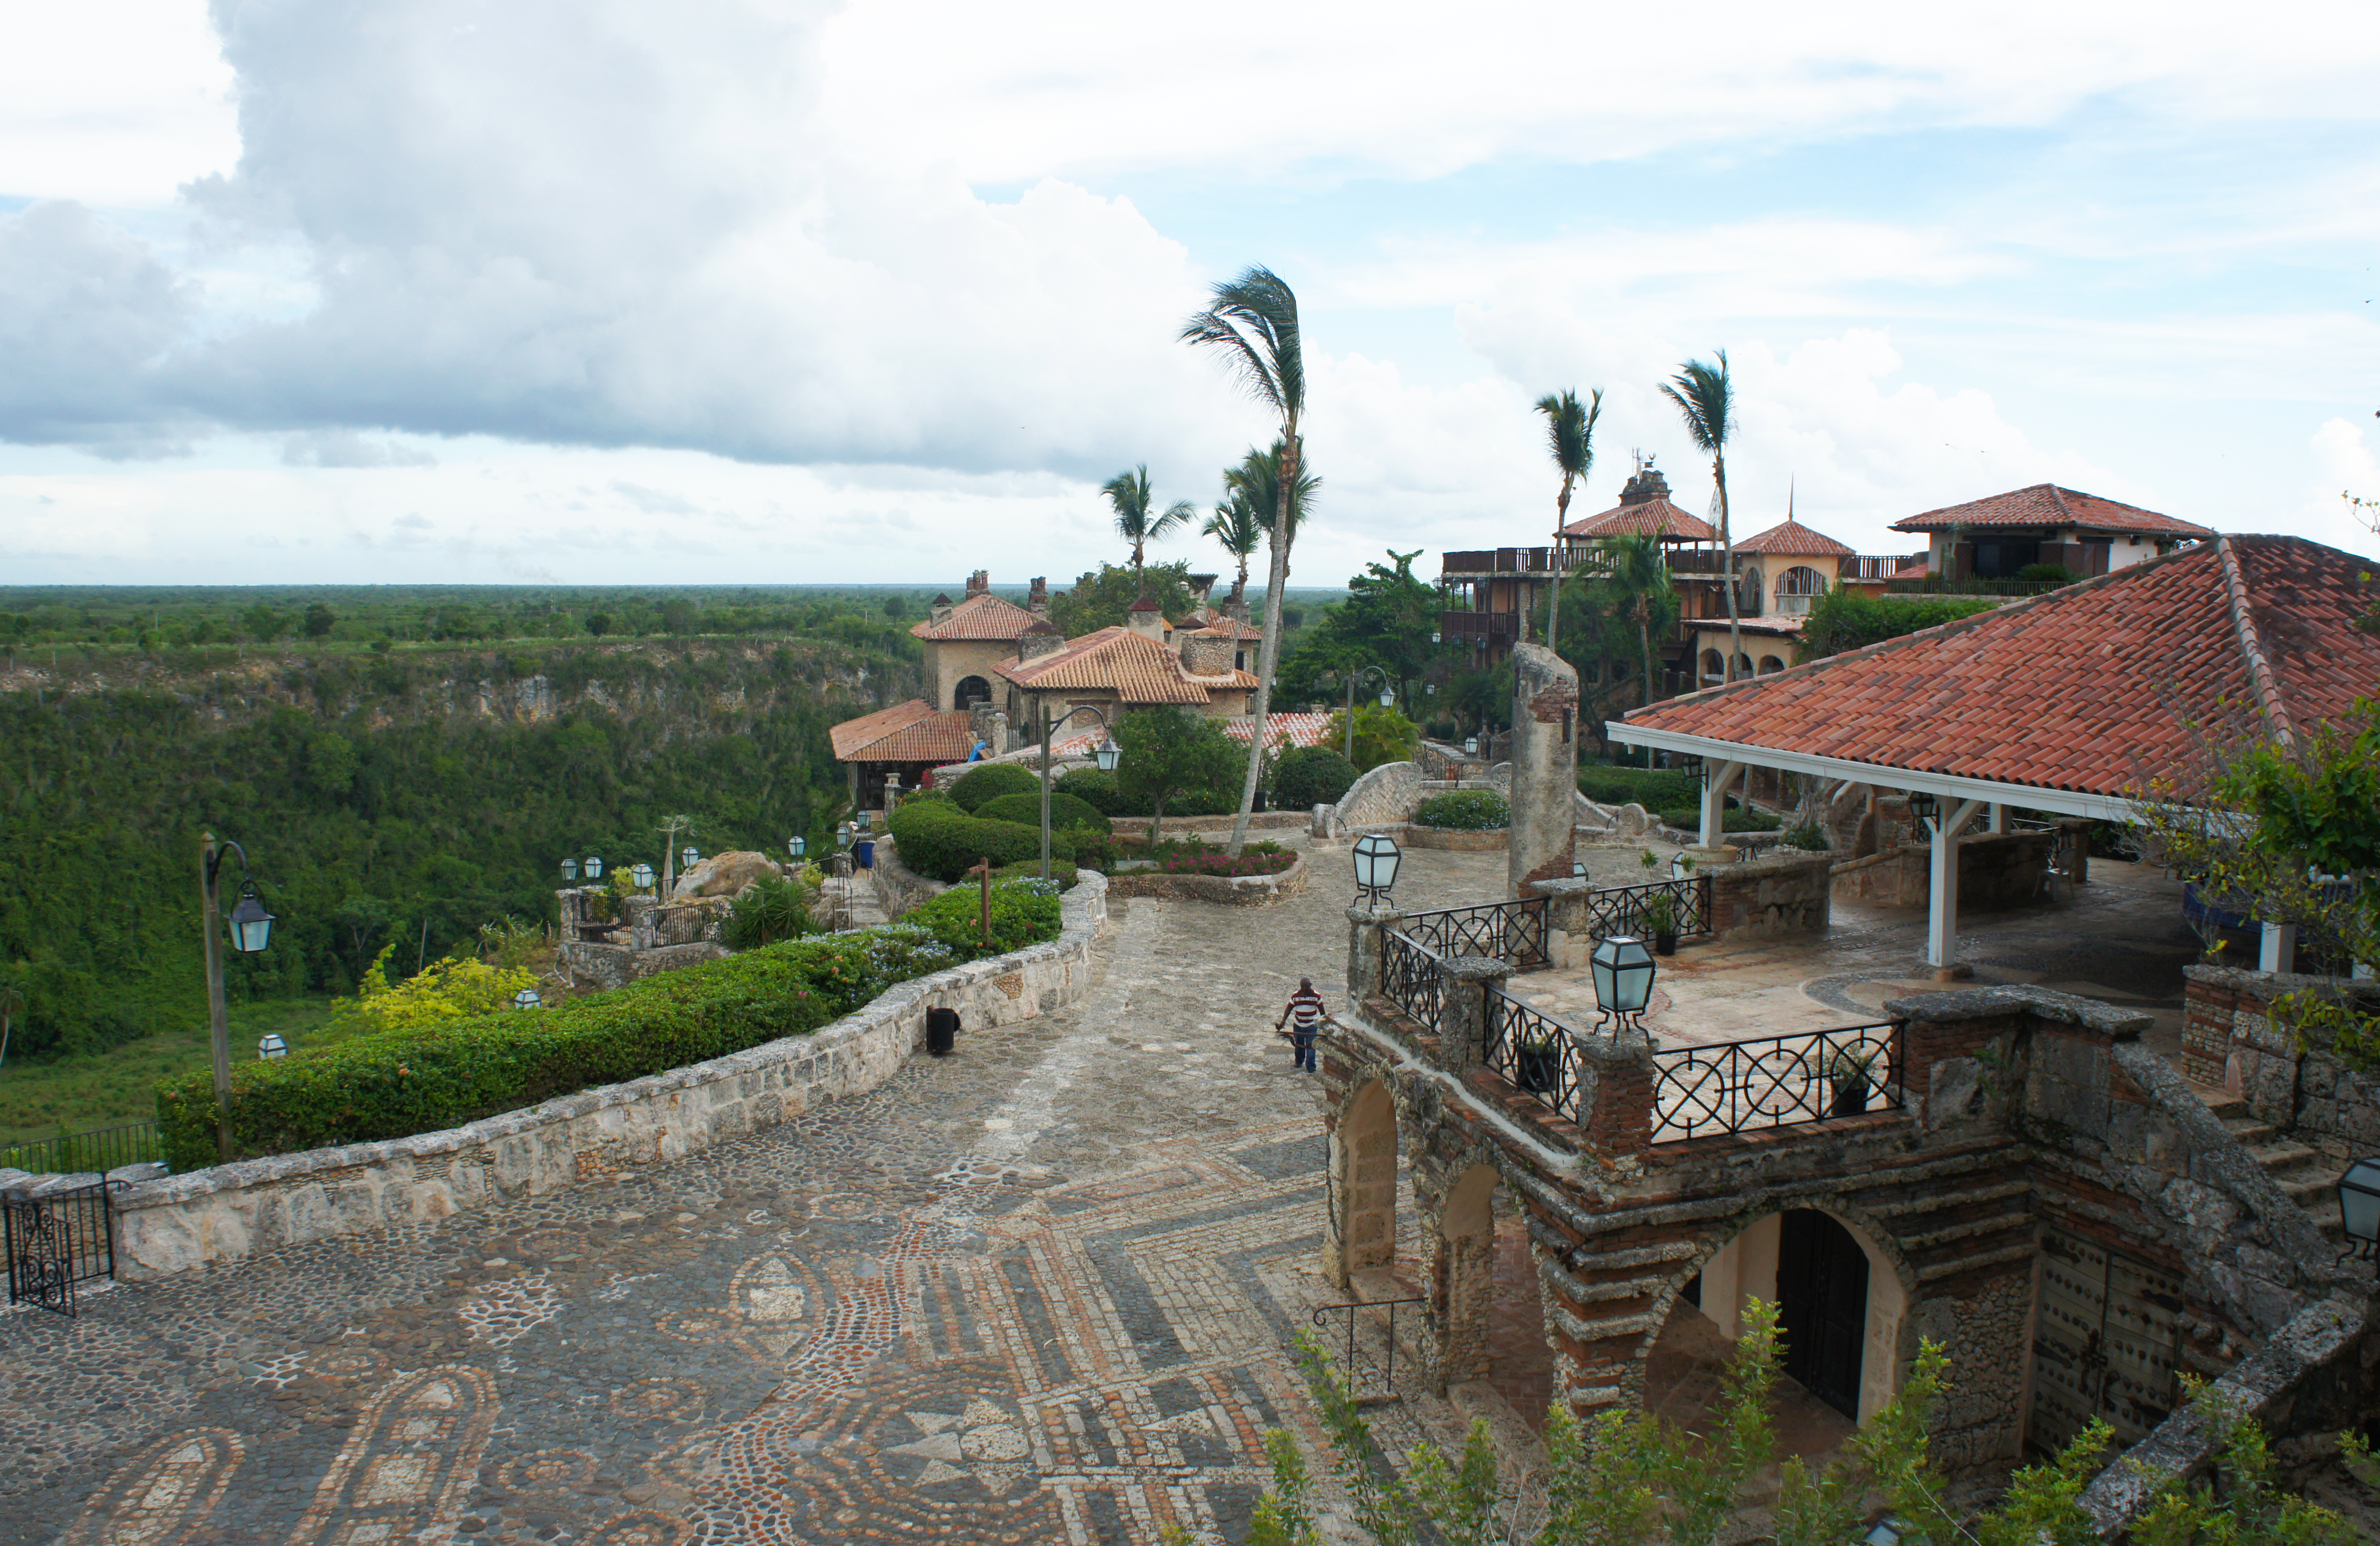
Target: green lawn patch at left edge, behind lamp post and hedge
(70, 1095)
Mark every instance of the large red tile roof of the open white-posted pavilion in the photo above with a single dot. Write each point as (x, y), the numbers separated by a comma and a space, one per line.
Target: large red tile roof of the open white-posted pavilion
(2088, 689)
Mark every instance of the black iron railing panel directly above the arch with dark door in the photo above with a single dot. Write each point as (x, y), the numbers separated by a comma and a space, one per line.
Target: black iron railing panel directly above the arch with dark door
(1777, 1083)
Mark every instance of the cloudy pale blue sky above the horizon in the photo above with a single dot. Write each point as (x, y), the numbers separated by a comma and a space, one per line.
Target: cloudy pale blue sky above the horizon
(768, 291)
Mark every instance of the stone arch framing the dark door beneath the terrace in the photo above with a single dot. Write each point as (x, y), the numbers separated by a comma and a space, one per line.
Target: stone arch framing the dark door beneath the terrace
(1739, 1262)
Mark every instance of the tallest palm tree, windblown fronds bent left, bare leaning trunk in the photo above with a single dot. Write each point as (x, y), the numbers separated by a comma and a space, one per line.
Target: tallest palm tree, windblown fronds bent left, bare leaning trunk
(1255, 322)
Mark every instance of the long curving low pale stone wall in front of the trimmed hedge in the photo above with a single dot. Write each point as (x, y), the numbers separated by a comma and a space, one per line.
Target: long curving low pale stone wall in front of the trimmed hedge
(234, 1212)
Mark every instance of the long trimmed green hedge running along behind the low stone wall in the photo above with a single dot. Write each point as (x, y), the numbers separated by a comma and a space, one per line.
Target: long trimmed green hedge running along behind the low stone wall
(458, 1071)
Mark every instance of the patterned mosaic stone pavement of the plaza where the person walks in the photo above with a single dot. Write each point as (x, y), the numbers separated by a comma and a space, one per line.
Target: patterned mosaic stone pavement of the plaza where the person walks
(1034, 1293)
